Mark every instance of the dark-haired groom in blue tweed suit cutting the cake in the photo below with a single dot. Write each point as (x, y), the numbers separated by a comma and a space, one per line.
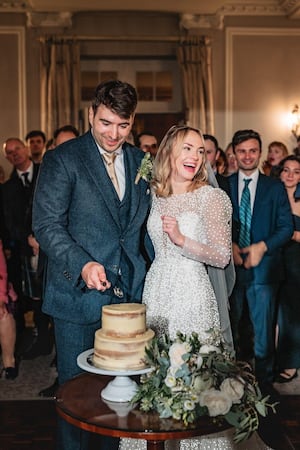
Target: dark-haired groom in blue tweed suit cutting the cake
(91, 234)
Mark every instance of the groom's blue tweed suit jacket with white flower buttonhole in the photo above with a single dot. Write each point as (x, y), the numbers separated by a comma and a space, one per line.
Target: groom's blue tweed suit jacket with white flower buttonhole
(76, 220)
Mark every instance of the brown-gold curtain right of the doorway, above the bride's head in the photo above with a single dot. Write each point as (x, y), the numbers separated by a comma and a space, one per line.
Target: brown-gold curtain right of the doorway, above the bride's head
(194, 57)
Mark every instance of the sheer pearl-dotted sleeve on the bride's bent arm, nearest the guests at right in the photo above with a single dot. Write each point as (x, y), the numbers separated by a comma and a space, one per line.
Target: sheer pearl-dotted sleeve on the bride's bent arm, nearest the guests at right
(215, 250)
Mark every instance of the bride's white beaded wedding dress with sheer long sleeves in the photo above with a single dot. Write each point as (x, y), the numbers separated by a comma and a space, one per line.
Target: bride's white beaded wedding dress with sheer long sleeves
(178, 292)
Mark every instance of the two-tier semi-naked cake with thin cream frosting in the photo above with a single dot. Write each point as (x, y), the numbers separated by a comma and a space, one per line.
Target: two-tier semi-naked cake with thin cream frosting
(120, 343)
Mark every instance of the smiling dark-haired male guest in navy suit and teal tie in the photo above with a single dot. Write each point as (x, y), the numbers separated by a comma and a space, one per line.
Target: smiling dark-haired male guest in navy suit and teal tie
(259, 269)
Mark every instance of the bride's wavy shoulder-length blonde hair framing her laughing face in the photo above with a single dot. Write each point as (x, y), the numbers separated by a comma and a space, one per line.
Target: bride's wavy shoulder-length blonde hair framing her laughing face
(162, 167)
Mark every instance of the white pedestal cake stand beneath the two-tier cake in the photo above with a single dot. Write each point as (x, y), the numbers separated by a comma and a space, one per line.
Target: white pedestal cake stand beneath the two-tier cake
(121, 388)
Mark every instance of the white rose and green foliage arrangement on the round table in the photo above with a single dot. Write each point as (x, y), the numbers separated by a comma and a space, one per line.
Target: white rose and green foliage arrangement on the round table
(191, 379)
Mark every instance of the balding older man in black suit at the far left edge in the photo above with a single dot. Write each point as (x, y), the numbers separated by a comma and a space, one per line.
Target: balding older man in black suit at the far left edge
(17, 193)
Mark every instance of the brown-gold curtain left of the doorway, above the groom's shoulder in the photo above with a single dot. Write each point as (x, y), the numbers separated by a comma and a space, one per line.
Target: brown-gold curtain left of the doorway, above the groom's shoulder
(60, 84)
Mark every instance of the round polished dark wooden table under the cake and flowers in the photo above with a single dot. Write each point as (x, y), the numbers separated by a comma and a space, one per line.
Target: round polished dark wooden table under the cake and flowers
(79, 402)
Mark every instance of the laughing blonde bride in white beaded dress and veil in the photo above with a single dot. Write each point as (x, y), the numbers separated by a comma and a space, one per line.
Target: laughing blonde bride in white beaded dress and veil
(185, 290)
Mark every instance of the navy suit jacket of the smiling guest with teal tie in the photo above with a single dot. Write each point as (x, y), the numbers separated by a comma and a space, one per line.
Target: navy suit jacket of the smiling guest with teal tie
(271, 223)
